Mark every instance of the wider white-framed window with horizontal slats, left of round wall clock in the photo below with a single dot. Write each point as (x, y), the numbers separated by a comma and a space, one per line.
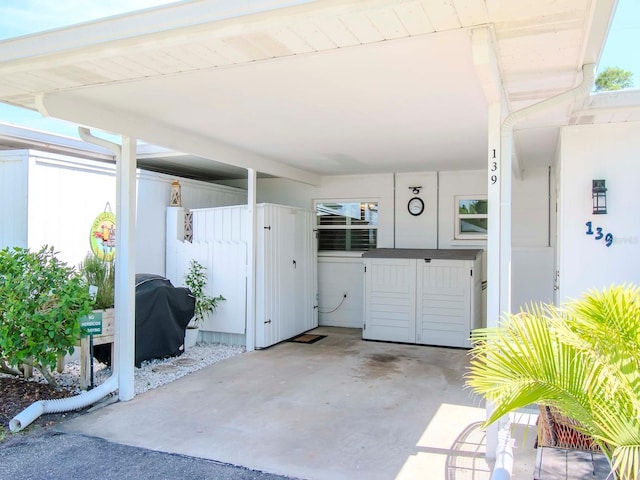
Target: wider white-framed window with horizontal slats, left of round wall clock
(347, 225)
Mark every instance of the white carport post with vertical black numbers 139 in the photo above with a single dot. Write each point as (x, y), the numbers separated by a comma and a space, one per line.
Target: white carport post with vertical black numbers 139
(498, 236)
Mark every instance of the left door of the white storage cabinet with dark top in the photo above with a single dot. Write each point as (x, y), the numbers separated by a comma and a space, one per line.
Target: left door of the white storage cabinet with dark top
(390, 300)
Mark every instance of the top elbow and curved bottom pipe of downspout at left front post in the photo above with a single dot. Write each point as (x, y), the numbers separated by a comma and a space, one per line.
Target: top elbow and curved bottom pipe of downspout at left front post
(33, 411)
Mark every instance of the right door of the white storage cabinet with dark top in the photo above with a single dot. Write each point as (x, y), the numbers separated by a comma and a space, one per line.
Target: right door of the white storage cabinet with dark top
(443, 303)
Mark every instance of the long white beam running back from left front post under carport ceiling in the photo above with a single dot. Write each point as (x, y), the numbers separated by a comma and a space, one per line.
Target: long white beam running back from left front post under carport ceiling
(96, 116)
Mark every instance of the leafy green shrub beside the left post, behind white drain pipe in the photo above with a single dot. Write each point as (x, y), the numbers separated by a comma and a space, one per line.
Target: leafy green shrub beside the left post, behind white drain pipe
(41, 300)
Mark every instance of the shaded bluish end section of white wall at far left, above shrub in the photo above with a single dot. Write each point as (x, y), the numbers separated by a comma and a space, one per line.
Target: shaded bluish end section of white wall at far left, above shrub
(14, 174)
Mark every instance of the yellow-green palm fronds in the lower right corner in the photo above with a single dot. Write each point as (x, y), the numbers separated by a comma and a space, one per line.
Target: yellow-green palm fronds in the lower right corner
(581, 360)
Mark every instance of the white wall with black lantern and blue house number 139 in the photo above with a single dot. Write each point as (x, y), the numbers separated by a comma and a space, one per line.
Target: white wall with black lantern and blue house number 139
(588, 152)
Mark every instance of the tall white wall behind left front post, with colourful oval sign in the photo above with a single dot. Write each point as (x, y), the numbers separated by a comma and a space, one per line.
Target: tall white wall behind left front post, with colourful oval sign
(65, 194)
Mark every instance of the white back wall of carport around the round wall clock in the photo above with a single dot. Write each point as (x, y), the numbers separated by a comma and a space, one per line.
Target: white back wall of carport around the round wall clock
(532, 259)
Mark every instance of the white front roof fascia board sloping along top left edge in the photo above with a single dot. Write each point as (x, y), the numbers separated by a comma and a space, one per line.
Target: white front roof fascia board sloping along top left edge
(168, 26)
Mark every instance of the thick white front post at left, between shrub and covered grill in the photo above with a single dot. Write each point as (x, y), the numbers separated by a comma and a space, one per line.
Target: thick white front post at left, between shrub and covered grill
(125, 268)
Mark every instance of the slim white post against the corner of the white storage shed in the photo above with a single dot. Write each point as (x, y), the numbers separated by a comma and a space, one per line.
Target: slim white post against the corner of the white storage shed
(251, 260)
